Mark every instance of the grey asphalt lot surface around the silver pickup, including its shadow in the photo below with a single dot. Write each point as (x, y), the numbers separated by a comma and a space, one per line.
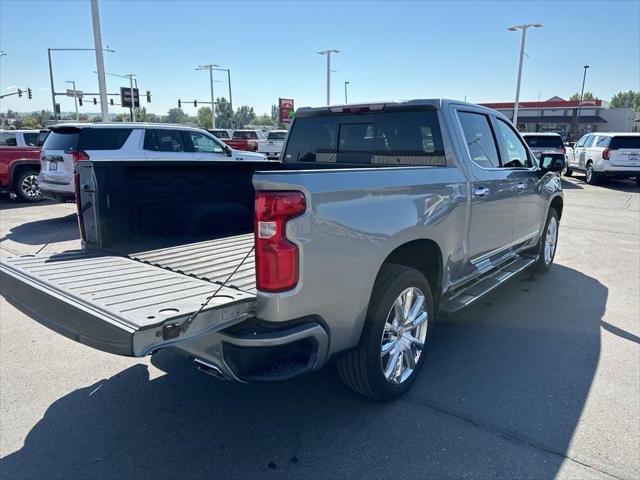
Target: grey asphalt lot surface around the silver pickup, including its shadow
(540, 379)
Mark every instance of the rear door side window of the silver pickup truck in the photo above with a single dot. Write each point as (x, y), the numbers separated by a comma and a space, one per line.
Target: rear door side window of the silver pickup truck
(479, 139)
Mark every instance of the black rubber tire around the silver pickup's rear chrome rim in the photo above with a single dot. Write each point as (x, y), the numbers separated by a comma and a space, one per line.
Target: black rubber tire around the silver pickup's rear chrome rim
(361, 369)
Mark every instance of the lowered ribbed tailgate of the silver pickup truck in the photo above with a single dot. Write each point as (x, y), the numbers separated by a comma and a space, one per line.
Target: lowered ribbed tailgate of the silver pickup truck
(117, 304)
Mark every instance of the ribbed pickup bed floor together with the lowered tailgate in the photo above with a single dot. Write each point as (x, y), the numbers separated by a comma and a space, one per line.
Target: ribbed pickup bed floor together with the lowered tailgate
(119, 303)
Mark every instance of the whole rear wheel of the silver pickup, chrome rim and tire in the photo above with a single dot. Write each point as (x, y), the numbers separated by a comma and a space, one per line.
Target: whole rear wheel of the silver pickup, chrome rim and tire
(391, 351)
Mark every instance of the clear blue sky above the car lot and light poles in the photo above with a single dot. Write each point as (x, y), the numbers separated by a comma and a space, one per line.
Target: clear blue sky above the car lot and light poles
(390, 50)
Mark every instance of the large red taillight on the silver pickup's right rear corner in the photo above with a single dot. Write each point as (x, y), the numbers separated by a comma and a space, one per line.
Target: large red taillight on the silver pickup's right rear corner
(277, 259)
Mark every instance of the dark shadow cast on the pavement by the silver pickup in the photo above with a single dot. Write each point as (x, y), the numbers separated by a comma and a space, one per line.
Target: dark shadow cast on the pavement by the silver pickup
(500, 396)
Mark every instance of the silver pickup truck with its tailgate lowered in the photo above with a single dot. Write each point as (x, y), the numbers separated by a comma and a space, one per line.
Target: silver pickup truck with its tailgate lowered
(379, 218)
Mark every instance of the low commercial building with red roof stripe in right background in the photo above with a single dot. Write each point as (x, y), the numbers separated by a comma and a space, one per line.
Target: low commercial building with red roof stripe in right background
(561, 116)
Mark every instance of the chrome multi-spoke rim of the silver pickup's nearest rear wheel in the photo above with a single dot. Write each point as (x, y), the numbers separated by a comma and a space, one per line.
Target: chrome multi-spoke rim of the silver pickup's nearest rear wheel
(404, 334)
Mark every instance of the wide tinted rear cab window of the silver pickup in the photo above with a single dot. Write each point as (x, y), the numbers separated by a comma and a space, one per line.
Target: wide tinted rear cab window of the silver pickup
(385, 138)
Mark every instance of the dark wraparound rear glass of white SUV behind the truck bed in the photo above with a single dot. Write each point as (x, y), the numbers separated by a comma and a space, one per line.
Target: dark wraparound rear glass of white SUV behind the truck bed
(87, 138)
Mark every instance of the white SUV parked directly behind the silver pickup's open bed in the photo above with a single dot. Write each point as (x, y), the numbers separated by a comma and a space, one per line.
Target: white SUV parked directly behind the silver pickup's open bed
(70, 143)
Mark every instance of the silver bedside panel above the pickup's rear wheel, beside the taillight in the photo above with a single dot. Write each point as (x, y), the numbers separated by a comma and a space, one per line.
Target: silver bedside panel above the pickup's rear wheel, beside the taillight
(354, 220)
